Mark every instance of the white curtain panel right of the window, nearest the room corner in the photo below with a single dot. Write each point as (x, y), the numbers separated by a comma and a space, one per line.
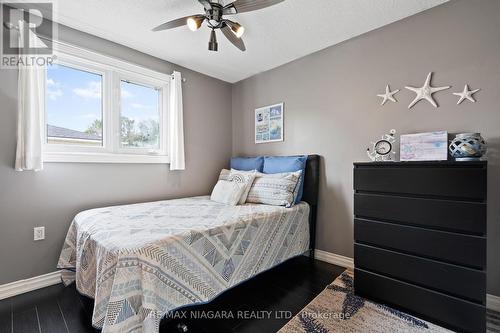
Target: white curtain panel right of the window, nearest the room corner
(176, 124)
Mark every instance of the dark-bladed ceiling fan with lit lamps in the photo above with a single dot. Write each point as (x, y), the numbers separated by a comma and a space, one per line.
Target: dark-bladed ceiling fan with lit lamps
(214, 15)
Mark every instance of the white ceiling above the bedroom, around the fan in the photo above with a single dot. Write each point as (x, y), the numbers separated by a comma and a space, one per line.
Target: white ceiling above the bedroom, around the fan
(274, 35)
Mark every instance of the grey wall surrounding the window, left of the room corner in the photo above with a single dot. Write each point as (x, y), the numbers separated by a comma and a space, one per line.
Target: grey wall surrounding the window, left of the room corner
(52, 197)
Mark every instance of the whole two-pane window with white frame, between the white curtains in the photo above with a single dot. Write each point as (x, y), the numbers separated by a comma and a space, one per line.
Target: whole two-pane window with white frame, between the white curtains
(100, 109)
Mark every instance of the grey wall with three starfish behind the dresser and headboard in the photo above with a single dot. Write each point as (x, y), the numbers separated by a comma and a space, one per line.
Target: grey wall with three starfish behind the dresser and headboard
(331, 108)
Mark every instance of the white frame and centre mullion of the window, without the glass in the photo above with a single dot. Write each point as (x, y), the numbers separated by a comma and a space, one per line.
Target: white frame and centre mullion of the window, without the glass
(113, 71)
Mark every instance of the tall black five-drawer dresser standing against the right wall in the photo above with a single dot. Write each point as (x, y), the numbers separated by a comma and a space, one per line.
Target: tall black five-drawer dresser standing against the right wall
(420, 239)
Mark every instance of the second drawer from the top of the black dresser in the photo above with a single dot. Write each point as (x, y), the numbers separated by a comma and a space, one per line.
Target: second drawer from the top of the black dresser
(458, 216)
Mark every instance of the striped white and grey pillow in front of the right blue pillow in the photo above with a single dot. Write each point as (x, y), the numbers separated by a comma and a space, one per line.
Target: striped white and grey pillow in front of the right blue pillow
(278, 189)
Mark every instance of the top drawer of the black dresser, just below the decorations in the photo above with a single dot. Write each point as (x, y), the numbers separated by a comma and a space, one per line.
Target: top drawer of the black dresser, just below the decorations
(461, 182)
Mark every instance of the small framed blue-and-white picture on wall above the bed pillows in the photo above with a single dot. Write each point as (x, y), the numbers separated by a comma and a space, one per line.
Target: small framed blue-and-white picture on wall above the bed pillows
(269, 123)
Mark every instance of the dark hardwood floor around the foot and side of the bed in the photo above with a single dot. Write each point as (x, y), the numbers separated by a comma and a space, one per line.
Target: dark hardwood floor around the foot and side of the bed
(263, 304)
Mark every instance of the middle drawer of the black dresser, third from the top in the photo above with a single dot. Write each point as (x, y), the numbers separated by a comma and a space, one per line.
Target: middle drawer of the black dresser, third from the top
(450, 247)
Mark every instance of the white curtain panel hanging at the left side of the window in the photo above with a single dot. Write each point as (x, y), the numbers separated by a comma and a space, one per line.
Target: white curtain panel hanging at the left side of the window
(30, 110)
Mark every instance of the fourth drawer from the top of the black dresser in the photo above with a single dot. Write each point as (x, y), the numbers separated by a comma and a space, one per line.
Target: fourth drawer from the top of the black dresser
(451, 279)
